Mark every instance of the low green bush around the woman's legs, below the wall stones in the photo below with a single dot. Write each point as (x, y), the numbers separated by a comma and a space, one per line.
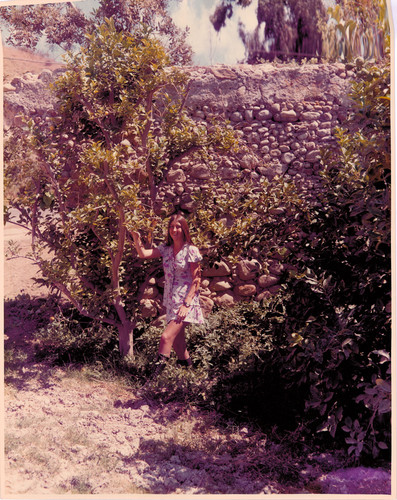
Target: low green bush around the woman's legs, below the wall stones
(232, 372)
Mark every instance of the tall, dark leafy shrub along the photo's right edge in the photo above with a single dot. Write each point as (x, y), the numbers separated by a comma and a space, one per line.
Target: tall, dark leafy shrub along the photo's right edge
(340, 312)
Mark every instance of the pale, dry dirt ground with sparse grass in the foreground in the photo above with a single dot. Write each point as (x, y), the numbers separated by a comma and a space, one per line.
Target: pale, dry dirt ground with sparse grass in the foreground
(68, 435)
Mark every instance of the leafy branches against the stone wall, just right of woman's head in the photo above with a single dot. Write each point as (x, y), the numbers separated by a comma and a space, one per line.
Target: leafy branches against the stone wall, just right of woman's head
(248, 219)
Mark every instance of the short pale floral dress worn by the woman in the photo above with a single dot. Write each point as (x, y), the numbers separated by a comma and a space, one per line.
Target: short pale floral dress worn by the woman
(178, 279)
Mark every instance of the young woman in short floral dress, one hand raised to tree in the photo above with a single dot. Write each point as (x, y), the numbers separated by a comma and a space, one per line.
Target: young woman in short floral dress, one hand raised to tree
(181, 263)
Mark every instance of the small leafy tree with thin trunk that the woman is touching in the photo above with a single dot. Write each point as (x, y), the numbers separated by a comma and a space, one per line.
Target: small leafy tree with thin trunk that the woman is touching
(94, 168)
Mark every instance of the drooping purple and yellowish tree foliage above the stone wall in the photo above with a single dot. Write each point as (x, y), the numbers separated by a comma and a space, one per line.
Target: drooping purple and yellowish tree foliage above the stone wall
(301, 29)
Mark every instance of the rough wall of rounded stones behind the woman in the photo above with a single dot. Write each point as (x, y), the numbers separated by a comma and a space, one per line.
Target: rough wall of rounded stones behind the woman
(283, 113)
